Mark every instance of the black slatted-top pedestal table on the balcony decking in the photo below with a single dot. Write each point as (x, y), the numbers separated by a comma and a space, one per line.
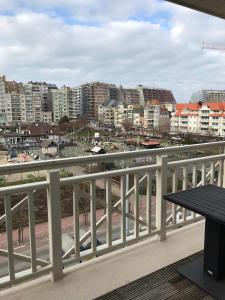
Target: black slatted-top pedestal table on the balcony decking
(207, 271)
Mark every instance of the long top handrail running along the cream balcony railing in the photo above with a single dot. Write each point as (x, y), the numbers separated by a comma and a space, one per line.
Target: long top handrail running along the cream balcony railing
(68, 162)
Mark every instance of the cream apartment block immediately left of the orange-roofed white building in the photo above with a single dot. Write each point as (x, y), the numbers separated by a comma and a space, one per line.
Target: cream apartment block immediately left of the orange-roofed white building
(157, 117)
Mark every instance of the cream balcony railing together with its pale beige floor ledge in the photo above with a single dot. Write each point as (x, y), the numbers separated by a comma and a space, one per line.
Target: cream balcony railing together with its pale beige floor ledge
(139, 232)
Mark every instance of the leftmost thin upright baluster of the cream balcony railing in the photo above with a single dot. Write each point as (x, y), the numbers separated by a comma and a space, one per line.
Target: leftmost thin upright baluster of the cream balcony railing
(8, 215)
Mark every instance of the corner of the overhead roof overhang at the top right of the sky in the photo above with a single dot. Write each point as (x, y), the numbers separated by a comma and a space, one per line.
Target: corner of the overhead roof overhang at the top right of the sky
(212, 7)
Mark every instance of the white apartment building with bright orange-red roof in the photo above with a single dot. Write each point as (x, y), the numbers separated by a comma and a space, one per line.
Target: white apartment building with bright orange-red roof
(206, 118)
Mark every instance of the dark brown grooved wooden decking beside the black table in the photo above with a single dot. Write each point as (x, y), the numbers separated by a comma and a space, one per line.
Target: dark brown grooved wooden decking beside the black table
(162, 284)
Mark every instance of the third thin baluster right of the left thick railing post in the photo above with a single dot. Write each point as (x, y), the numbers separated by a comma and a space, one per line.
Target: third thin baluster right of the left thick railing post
(109, 211)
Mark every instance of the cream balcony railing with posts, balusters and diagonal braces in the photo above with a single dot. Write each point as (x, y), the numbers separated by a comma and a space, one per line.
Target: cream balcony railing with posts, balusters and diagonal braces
(137, 213)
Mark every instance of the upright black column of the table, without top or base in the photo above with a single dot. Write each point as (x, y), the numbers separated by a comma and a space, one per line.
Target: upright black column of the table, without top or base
(214, 250)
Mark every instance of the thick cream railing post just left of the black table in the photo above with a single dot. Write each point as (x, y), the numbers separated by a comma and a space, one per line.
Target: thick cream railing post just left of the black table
(161, 189)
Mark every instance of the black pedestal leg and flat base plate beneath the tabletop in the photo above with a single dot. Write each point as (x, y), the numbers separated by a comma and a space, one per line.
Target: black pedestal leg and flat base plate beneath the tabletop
(208, 270)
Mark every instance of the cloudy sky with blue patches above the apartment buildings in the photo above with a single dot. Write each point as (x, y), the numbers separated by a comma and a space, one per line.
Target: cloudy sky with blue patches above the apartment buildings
(128, 42)
